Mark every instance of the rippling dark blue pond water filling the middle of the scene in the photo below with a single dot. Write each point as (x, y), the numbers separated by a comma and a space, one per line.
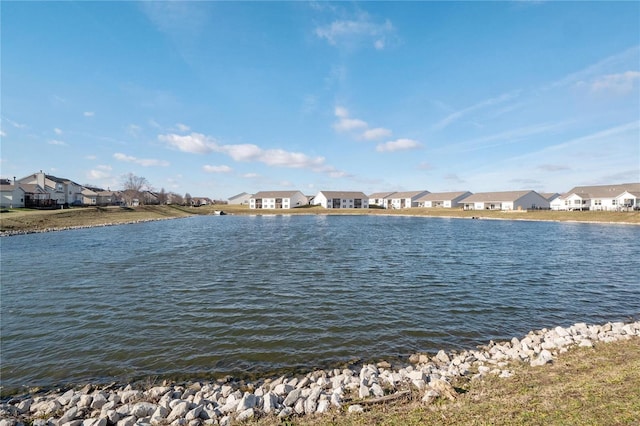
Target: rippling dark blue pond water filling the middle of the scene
(227, 294)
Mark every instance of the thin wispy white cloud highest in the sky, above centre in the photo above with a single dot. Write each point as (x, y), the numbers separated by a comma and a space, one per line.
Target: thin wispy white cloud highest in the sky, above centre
(353, 32)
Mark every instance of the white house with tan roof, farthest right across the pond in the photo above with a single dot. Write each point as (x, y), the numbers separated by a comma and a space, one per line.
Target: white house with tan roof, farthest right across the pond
(600, 197)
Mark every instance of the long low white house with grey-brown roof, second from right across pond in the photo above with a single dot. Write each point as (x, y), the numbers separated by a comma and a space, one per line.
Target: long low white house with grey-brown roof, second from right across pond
(508, 200)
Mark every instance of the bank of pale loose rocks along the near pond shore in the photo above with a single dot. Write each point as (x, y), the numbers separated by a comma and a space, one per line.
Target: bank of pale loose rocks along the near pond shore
(228, 402)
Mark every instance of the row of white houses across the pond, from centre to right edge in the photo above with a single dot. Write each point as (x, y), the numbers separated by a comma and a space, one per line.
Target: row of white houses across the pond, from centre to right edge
(602, 197)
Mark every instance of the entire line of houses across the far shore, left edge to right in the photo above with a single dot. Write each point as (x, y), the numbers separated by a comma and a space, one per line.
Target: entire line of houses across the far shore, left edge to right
(41, 190)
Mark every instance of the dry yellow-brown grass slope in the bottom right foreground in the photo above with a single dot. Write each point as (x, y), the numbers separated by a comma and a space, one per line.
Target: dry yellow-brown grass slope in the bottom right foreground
(585, 386)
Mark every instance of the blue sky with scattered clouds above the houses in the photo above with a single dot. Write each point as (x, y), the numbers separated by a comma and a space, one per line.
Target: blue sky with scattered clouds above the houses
(218, 98)
